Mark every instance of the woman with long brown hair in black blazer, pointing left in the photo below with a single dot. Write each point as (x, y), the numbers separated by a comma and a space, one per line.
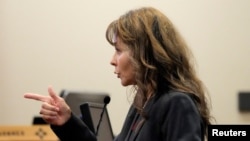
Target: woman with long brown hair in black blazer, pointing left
(170, 102)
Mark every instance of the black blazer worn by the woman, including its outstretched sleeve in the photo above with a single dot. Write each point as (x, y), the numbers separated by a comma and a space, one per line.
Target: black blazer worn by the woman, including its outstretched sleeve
(172, 116)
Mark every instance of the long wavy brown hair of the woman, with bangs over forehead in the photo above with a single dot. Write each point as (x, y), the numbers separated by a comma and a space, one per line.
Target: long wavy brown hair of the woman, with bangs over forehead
(160, 56)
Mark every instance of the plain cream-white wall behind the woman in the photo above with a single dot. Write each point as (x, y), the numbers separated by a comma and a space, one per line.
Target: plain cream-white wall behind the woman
(62, 43)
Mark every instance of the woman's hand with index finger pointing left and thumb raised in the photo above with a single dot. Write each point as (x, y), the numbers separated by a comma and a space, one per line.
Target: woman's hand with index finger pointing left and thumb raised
(54, 109)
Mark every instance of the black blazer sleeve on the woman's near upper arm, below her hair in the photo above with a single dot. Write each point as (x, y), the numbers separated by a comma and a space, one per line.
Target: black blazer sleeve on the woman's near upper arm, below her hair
(182, 120)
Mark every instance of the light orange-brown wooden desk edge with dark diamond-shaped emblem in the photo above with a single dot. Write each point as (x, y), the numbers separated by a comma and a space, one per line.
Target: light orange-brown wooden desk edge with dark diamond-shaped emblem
(27, 133)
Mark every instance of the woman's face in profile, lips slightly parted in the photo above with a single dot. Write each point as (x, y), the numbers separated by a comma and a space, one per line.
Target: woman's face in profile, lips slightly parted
(122, 63)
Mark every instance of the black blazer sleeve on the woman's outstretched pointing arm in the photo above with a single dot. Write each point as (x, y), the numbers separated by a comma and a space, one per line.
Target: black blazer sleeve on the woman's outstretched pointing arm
(74, 130)
